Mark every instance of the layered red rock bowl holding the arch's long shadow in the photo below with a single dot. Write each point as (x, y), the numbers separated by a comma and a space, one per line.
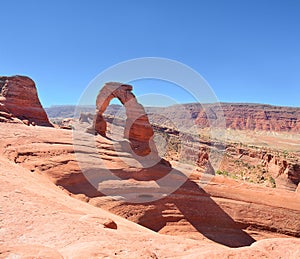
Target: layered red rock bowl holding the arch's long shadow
(222, 210)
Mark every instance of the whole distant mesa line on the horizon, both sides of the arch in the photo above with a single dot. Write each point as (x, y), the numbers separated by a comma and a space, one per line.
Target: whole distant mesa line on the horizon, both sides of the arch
(243, 116)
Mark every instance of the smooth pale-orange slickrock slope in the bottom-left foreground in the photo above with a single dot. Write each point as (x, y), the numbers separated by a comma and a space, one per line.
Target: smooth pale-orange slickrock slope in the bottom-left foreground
(37, 219)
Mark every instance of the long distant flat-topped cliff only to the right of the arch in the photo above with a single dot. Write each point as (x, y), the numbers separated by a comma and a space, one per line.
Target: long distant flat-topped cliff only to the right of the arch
(240, 116)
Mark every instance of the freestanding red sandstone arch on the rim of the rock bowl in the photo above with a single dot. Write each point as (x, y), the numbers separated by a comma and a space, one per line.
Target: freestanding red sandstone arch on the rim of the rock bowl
(138, 130)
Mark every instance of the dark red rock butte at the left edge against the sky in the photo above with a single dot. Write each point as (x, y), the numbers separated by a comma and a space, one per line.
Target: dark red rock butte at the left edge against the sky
(19, 102)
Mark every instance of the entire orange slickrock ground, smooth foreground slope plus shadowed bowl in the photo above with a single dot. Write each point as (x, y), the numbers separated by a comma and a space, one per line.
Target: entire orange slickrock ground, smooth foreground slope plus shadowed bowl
(221, 213)
